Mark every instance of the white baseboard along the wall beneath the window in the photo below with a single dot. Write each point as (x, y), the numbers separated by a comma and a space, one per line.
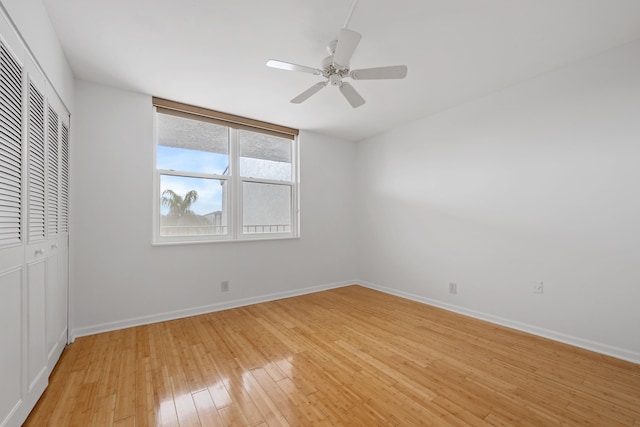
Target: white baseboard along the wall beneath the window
(177, 314)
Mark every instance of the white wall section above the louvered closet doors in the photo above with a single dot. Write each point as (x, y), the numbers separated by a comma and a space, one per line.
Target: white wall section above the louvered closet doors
(32, 20)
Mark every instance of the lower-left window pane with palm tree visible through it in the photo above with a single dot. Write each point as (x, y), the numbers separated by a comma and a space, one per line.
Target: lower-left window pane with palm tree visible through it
(192, 206)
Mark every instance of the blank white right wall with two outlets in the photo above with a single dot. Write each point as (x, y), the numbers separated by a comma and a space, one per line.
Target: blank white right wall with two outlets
(537, 182)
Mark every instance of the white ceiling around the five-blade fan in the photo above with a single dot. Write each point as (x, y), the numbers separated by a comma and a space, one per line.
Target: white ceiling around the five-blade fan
(212, 53)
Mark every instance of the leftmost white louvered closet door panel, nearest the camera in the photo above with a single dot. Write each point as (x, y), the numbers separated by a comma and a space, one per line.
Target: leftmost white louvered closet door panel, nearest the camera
(11, 233)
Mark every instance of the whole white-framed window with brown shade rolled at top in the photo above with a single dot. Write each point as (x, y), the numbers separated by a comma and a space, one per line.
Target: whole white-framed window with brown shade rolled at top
(220, 177)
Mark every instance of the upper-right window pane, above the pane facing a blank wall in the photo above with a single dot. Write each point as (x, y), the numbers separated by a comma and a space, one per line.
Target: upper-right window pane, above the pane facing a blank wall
(264, 156)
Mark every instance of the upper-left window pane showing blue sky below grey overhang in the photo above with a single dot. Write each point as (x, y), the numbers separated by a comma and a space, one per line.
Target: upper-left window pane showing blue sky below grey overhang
(192, 145)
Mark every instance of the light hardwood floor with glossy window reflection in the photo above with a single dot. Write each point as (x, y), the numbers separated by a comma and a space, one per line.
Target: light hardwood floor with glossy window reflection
(350, 356)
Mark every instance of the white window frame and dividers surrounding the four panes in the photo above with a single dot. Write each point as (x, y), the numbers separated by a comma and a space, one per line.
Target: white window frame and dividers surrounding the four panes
(234, 202)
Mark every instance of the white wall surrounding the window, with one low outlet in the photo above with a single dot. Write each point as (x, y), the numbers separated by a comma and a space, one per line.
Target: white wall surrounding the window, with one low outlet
(119, 278)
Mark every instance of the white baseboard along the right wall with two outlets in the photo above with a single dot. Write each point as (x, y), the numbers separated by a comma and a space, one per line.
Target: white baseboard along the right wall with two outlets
(619, 353)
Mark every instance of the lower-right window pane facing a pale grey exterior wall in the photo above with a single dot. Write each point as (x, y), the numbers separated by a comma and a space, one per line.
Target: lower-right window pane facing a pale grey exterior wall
(266, 208)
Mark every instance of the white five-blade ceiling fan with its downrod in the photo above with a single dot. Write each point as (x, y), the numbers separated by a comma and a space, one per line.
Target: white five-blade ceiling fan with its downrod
(336, 67)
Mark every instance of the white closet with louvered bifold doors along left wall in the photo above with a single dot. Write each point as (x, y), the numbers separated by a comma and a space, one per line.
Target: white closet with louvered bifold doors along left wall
(34, 227)
